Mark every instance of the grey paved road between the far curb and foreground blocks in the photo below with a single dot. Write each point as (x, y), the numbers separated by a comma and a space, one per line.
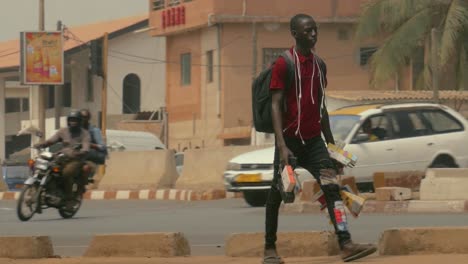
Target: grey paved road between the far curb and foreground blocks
(205, 223)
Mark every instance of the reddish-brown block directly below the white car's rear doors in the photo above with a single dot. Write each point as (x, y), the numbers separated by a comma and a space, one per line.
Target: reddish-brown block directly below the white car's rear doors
(406, 179)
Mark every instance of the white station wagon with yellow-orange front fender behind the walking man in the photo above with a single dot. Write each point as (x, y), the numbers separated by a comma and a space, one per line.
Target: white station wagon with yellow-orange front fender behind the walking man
(384, 137)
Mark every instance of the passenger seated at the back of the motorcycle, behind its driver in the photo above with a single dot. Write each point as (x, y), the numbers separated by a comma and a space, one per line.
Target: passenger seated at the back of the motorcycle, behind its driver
(98, 150)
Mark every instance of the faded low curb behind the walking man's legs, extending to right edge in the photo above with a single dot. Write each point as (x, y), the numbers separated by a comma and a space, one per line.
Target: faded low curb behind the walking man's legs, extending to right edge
(389, 207)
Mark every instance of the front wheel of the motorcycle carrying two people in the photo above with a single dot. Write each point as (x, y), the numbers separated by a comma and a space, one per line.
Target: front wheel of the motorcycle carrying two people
(28, 202)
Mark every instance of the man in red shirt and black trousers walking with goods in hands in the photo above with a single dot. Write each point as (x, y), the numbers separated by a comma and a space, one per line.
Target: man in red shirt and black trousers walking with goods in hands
(300, 117)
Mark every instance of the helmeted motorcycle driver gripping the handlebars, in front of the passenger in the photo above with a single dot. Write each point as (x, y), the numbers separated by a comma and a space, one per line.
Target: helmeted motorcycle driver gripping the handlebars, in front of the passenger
(71, 136)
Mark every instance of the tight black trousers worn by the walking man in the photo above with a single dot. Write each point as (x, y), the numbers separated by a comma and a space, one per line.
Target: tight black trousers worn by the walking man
(312, 156)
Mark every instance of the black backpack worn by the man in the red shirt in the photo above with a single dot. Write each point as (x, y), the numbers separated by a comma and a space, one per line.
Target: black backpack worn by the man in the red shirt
(261, 97)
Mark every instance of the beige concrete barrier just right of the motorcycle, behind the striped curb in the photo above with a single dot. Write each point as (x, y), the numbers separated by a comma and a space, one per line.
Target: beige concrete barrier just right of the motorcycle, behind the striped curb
(140, 169)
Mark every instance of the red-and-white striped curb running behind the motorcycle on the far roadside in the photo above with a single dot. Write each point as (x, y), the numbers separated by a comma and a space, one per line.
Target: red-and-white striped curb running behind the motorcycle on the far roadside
(164, 194)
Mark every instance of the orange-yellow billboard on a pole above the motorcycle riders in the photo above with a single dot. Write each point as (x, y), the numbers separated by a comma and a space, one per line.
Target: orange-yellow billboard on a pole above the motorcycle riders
(42, 58)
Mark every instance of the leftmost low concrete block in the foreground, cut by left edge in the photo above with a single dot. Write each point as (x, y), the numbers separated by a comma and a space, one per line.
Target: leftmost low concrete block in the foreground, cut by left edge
(28, 247)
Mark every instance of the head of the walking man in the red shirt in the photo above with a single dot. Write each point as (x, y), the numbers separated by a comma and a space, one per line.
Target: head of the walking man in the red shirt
(304, 30)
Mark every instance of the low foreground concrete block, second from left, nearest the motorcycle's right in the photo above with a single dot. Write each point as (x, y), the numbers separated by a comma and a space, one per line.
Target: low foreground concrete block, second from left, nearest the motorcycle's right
(139, 245)
